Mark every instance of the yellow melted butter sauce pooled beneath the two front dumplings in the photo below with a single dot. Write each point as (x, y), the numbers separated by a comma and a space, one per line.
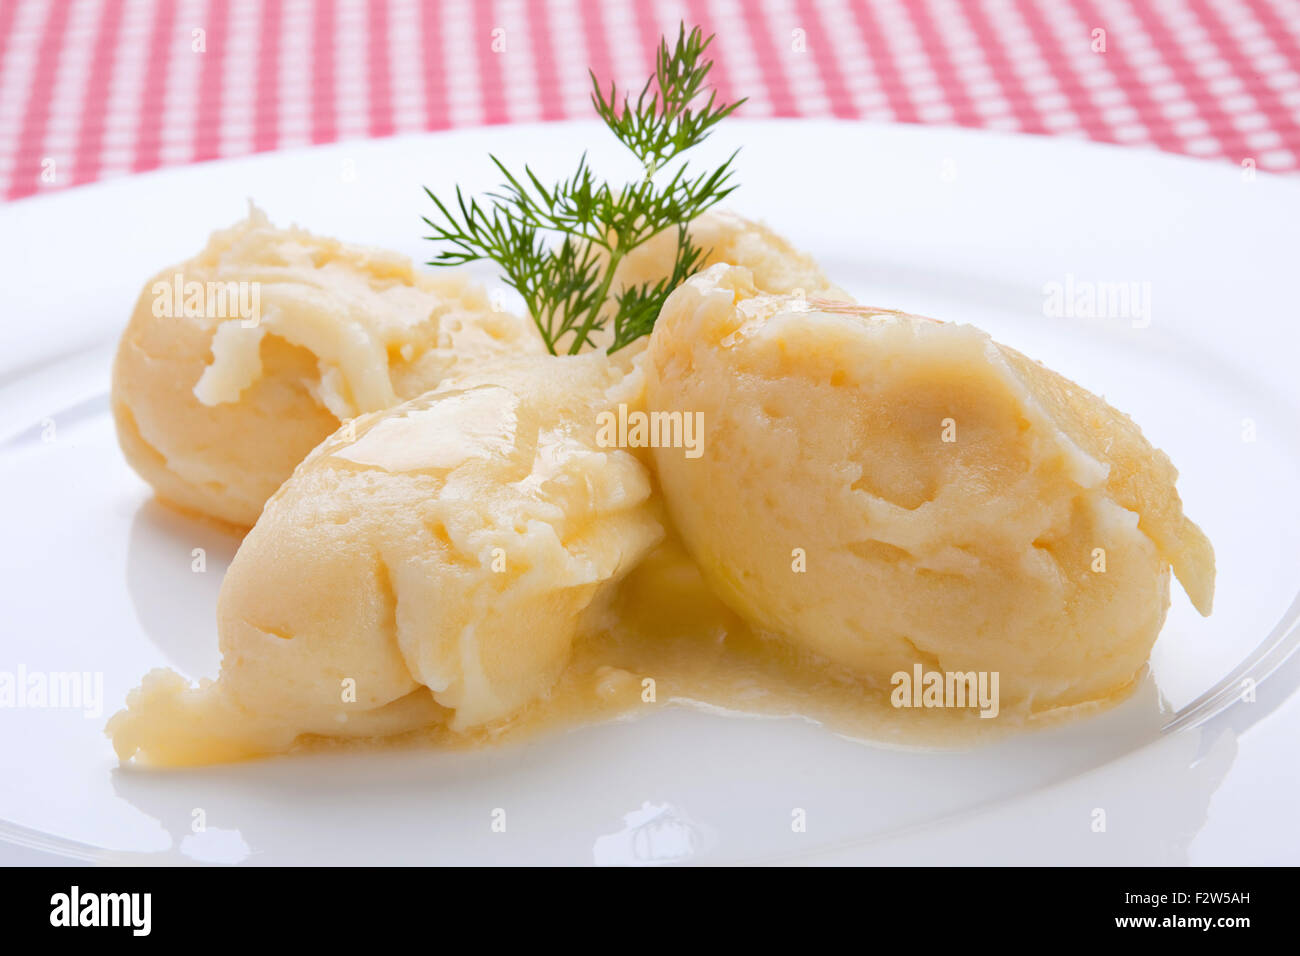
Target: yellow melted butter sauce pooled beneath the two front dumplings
(664, 625)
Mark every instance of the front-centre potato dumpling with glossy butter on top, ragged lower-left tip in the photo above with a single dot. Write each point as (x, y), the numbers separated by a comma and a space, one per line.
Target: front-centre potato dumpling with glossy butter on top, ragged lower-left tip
(426, 565)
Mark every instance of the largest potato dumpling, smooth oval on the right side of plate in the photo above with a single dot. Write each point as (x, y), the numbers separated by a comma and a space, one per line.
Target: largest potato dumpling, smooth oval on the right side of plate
(890, 491)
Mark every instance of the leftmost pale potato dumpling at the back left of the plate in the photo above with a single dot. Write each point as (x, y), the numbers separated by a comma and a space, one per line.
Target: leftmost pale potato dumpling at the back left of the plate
(218, 401)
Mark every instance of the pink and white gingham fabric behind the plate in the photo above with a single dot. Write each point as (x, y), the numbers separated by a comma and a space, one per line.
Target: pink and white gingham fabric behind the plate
(94, 89)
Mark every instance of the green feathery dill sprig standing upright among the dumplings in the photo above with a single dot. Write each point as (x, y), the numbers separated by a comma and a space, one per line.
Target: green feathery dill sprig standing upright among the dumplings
(560, 246)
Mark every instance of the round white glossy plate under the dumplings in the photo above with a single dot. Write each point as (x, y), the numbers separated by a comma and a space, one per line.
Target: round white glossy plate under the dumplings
(968, 227)
